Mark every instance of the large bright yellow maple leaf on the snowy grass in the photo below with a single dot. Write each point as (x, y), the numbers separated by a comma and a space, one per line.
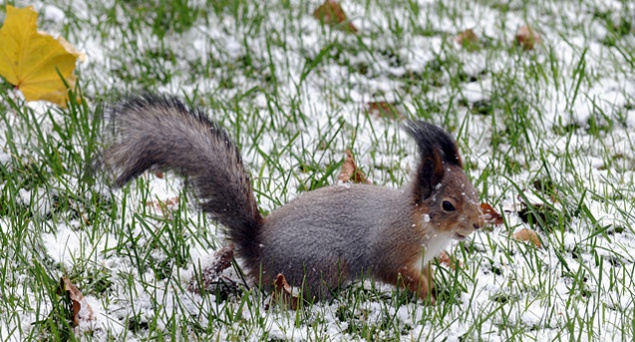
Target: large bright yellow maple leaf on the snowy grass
(30, 60)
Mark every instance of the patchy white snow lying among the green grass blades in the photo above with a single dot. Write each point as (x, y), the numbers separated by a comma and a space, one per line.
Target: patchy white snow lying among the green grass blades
(331, 91)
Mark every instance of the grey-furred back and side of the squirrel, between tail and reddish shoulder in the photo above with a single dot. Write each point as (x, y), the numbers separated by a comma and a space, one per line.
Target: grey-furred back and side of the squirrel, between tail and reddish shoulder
(348, 229)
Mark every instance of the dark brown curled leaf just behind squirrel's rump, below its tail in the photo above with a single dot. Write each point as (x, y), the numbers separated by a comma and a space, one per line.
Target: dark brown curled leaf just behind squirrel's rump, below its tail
(212, 281)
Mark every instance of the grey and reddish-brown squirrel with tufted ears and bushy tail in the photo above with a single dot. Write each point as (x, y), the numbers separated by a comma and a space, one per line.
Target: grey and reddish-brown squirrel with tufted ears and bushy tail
(323, 238)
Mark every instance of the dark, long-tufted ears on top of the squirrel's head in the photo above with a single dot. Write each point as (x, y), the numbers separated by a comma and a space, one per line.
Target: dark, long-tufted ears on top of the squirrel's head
(436, 150)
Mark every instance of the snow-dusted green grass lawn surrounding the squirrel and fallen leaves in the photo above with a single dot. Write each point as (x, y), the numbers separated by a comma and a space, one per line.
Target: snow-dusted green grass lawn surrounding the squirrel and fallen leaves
(546, 136)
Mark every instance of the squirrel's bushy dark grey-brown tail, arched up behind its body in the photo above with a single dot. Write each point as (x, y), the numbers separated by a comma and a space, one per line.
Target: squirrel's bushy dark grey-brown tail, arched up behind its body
(153, 130)
